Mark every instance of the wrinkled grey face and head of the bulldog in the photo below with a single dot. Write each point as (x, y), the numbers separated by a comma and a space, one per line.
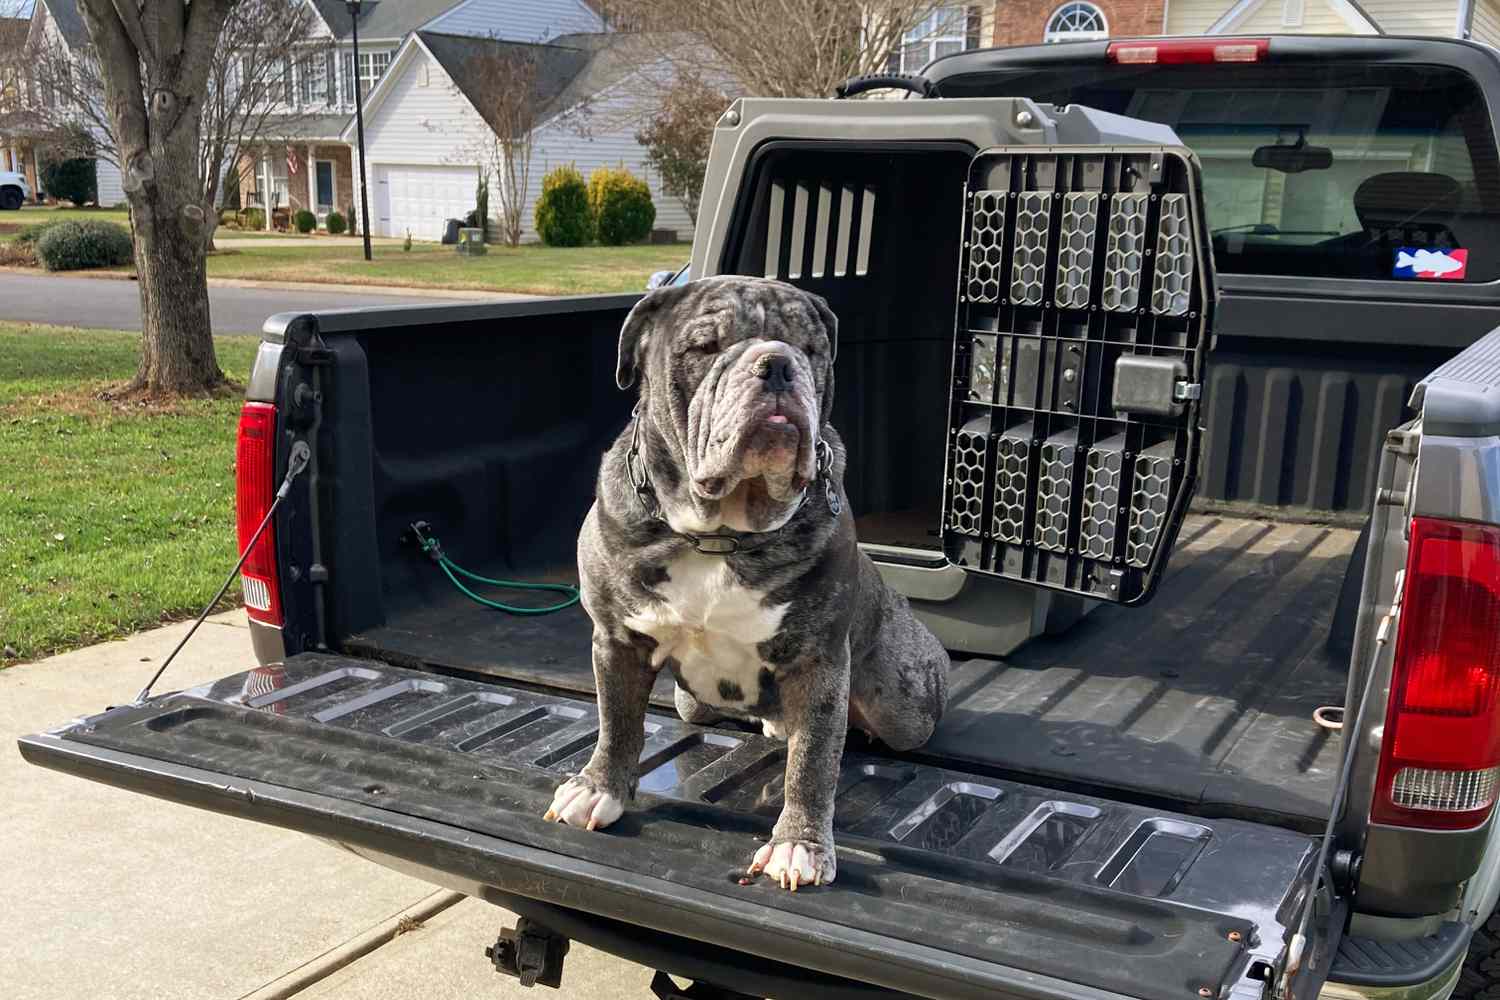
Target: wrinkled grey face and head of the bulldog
(739, 383)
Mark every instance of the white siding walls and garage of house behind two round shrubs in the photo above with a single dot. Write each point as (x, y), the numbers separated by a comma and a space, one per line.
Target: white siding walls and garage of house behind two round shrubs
(425, 139)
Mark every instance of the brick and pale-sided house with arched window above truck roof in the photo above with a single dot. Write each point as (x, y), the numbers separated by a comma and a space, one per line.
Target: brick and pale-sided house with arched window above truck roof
(1033, 22)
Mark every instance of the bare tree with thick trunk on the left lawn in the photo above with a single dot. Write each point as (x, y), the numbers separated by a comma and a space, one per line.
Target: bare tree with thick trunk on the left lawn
(173, 94)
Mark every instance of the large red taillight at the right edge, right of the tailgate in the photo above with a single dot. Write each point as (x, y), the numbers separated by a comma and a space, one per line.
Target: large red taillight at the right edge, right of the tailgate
(1441, 753)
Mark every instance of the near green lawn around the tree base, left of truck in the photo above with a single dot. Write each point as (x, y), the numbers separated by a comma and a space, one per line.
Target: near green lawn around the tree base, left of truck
(112, 518)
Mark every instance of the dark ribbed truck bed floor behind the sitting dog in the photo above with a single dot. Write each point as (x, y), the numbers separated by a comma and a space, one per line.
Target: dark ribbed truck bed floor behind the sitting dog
(1202, 699)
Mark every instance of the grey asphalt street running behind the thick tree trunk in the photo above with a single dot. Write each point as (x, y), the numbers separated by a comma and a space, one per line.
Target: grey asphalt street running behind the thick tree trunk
(115, 305)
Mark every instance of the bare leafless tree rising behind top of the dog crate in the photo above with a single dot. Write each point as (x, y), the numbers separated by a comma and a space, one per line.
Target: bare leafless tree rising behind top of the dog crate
(782, 49)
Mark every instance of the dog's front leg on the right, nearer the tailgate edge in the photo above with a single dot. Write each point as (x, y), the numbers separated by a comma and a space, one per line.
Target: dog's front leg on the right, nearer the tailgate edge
(815, 713)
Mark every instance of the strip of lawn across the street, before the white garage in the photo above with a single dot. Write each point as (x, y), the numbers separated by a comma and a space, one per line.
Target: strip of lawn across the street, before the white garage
(542, 271)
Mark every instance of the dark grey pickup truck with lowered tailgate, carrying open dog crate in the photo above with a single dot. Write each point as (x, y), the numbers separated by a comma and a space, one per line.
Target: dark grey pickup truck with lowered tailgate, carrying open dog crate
(1237, 749)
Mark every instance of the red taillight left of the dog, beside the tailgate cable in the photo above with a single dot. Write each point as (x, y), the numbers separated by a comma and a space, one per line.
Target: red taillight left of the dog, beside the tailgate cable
(256, 490)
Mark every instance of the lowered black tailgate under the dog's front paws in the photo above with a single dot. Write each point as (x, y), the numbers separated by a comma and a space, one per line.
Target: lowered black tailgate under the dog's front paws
(932, 863)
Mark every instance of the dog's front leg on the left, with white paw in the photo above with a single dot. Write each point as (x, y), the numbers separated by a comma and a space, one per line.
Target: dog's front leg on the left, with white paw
(598, 795)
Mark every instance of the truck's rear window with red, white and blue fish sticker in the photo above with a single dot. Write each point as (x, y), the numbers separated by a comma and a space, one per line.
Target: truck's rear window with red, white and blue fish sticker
(1379, 172)
